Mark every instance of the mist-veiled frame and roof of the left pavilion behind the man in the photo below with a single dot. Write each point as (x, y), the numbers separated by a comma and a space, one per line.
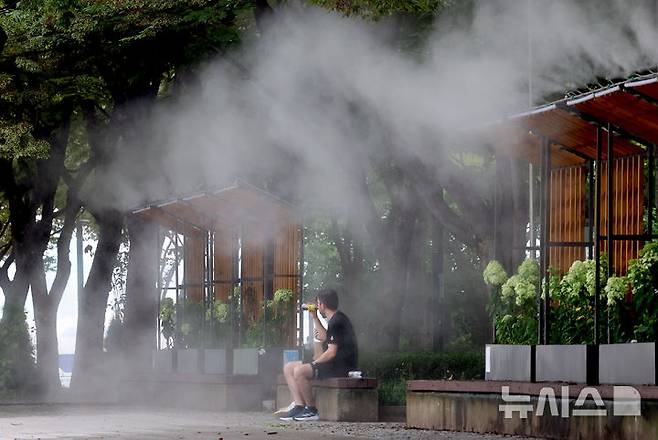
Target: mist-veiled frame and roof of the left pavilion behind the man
(165, 214)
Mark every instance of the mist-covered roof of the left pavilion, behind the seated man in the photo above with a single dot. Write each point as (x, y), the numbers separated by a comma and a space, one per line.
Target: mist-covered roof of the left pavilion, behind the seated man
(231, 206)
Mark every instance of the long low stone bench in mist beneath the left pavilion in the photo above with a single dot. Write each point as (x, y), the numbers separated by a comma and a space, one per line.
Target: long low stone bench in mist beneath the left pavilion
(214, 392)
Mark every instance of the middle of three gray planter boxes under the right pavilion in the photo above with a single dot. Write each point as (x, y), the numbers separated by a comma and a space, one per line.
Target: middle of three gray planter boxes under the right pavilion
(567, 363)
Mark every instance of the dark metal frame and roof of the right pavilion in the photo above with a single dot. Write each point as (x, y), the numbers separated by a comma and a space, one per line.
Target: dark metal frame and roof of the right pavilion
(549, 148)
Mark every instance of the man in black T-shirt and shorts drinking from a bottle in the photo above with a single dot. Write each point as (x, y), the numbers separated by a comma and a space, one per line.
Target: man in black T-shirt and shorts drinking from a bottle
(338, 355)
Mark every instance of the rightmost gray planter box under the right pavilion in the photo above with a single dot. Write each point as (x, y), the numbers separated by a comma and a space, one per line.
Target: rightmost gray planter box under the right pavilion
(633, 364)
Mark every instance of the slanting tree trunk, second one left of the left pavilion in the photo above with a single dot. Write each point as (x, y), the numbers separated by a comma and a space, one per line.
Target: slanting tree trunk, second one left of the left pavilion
(88, 377)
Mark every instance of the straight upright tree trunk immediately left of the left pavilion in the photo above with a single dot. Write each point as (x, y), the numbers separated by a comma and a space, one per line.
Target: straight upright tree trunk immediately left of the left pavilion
(140, 323)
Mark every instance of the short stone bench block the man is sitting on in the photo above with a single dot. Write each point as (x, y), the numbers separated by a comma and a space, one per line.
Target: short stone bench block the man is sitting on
(339, 399)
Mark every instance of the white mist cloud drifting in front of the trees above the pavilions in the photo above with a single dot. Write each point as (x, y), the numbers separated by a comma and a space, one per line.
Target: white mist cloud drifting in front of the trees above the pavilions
(318, 92)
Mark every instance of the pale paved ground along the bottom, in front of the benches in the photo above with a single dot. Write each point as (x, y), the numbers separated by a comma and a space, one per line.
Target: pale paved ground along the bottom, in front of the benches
(47, 422)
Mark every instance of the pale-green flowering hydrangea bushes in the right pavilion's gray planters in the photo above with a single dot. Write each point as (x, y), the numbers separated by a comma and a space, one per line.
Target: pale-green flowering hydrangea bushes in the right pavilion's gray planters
(514, 309)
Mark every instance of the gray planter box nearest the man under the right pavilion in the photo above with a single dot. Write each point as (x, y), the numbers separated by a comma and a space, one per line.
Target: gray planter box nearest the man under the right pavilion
(509, 362)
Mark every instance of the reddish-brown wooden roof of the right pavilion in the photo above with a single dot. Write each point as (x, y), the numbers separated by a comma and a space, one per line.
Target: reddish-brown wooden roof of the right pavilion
(630, 107)
